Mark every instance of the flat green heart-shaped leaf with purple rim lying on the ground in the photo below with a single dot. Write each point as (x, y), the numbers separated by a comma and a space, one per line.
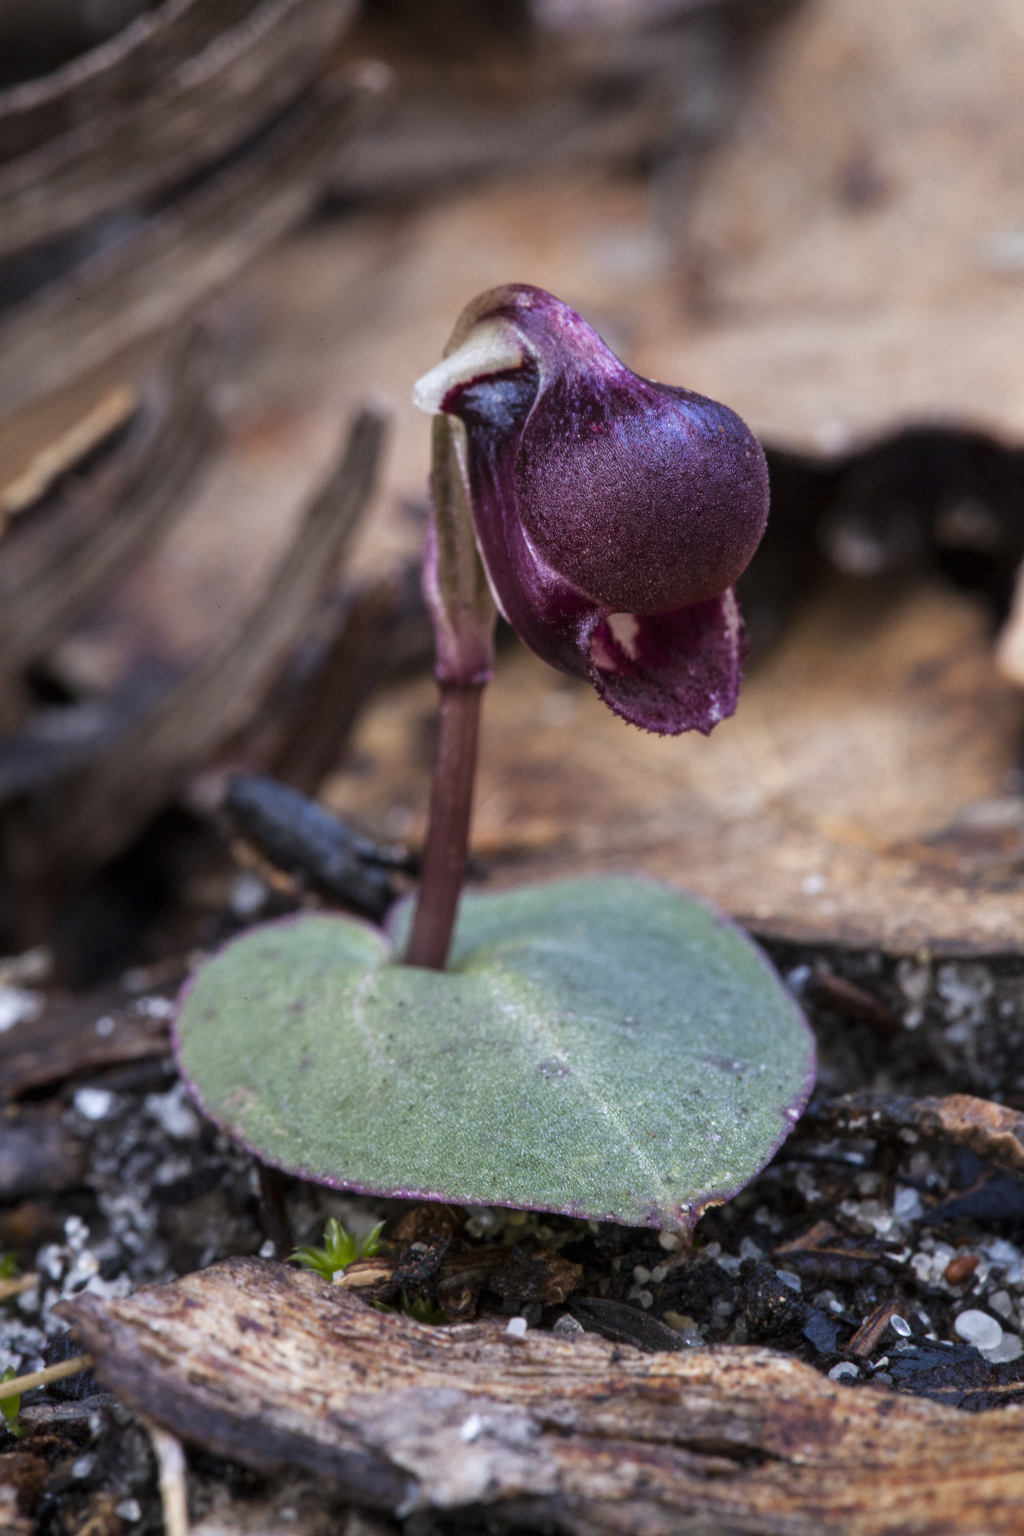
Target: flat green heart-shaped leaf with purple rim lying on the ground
(606, 1048)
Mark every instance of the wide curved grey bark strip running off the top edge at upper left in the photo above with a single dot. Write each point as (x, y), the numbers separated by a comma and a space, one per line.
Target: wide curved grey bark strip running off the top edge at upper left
(137, 144)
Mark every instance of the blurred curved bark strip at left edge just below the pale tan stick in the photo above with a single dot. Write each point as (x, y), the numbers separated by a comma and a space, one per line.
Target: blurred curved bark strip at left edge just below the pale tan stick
(58, 563)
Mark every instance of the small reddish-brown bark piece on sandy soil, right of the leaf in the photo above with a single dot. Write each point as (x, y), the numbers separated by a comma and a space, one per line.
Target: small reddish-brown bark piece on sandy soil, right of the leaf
(994, 1133)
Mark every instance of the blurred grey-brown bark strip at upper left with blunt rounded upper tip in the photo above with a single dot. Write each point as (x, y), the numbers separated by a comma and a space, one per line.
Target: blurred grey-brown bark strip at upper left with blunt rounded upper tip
(183, 254)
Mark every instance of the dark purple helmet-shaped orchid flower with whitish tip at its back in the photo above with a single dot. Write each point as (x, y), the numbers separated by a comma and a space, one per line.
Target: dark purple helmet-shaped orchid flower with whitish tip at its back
(612, 514)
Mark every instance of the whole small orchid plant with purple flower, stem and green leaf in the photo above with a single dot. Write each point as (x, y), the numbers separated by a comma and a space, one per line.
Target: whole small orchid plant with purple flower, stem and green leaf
(609, 1048)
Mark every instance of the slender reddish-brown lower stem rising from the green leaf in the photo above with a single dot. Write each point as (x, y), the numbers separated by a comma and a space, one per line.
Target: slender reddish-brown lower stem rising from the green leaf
(449, 835)
